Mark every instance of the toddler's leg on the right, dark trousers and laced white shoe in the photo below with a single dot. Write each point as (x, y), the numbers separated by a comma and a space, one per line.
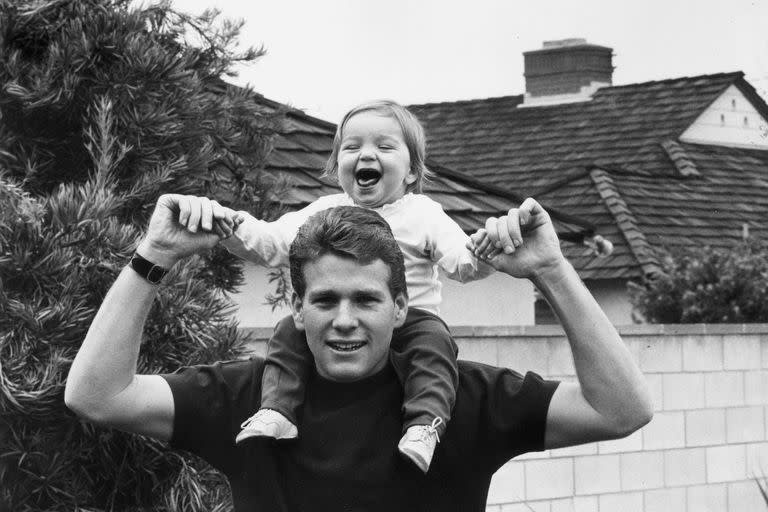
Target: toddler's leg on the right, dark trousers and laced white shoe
(423, 355)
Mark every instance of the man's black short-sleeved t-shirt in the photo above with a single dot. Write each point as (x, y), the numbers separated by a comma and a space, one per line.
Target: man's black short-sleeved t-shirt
(346, 457)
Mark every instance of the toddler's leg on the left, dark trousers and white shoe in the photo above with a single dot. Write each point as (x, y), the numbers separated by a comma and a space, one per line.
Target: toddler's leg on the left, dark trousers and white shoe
(282, 385)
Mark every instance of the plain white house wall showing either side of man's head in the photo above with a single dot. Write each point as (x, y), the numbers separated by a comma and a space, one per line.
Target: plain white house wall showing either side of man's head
(496, 300)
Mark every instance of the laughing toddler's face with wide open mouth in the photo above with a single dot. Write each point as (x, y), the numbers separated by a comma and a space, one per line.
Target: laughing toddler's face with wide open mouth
(374, 162)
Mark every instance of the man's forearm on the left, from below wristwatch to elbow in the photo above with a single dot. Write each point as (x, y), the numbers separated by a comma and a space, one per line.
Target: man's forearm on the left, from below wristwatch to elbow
(106, 363)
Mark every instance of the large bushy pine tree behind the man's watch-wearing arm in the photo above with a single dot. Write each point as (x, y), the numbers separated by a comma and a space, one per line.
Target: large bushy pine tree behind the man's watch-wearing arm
(103, 107)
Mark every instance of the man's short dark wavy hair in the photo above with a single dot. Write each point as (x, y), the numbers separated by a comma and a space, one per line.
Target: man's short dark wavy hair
(349, 232)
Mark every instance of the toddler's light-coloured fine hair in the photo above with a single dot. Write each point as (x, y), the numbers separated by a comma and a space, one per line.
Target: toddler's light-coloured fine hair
(413, 134)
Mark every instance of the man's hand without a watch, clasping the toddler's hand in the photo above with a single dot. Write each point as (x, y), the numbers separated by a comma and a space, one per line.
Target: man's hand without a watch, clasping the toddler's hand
(522, 243)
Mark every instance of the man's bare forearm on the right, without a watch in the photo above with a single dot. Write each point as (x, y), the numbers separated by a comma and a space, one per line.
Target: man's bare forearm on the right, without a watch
(610, 381)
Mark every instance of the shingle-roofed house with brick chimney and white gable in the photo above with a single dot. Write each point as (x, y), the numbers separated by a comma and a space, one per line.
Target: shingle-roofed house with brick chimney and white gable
(657, 165)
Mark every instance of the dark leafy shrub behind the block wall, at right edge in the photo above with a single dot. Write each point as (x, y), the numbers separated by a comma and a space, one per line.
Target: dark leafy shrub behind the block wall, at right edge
(707, 285)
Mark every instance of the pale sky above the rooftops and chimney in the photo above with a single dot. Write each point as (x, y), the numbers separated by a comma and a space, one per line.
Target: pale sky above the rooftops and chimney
(326, 56)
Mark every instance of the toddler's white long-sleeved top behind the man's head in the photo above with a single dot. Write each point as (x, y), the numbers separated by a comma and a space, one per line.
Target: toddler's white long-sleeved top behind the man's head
(427, 236)
